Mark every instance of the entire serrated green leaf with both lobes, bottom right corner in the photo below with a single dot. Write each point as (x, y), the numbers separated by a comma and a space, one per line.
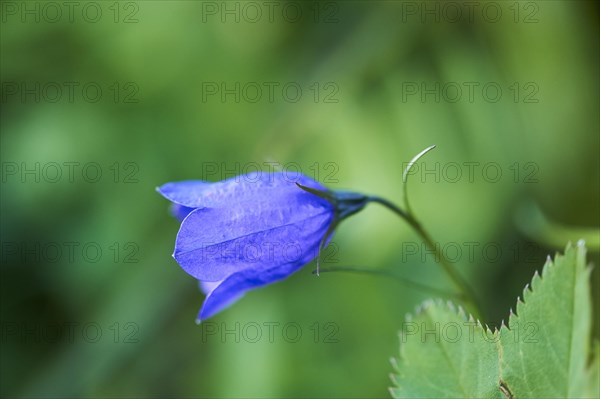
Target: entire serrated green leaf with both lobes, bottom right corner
(542, 353)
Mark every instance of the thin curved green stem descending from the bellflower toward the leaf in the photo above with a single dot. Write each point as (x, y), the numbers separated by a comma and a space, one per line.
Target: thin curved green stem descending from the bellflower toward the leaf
(456, 278)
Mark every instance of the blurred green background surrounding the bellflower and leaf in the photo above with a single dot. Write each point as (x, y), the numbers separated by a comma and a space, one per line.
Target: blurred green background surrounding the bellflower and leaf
(379, 82)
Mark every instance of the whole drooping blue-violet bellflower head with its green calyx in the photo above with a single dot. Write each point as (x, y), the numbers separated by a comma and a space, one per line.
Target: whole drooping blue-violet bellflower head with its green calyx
(251, 230)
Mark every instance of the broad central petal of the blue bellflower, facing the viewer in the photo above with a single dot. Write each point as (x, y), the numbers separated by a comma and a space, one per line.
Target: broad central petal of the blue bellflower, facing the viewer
(214, 243)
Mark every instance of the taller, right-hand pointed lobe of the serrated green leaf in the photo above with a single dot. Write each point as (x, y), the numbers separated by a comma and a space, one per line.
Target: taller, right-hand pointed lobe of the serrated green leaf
(544, 349)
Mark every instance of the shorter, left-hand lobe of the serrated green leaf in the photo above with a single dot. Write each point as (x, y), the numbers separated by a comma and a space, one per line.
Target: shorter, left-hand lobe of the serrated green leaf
(445, 354)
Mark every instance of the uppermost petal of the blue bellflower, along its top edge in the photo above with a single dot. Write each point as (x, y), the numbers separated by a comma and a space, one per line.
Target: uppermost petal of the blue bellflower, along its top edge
(241, 189)
